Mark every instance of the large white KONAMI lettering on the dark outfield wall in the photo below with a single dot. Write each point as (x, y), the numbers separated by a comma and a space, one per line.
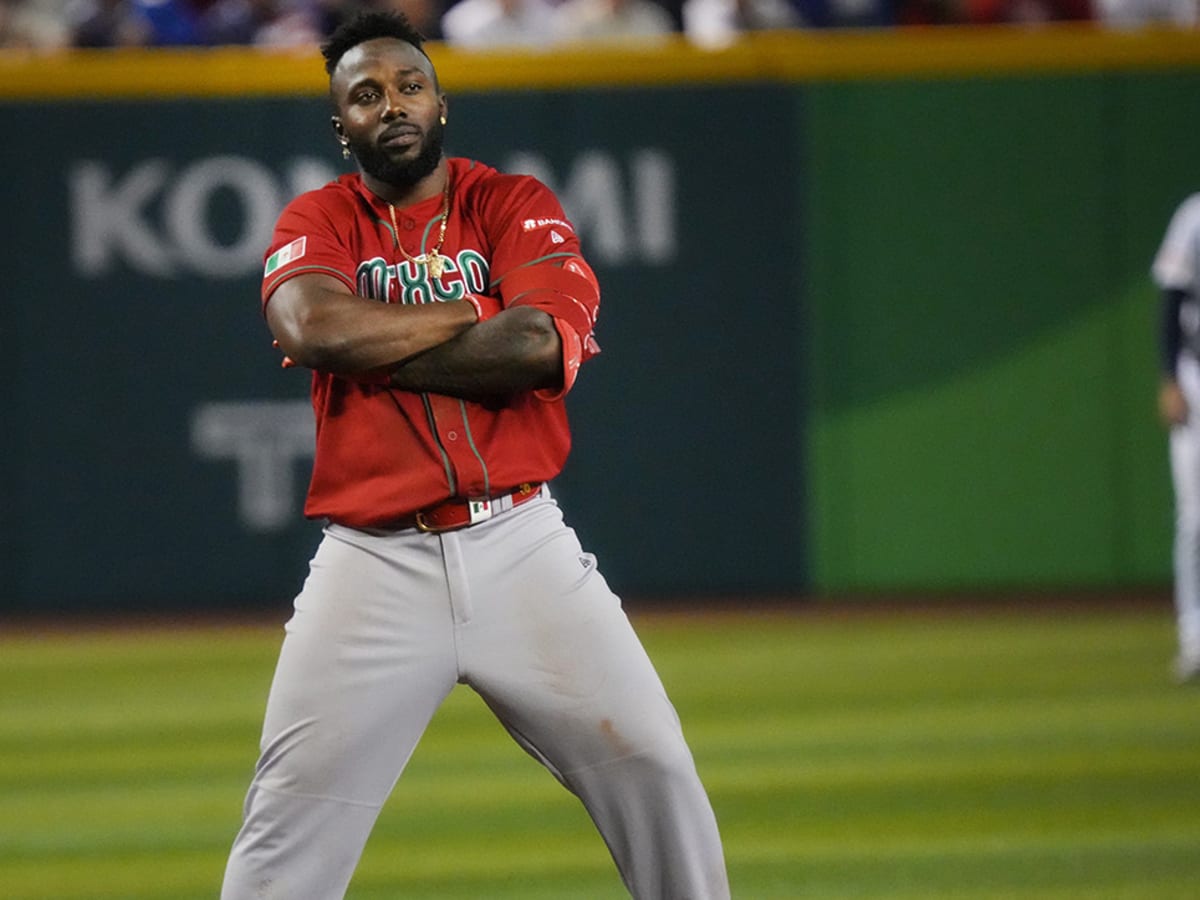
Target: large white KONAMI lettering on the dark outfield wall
(154, 218)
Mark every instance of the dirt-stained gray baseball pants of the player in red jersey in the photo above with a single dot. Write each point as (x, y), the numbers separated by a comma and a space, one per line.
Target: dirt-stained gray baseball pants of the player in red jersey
(385, 628)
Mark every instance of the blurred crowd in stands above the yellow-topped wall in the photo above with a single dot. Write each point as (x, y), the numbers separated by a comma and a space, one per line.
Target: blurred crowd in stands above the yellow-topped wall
(49, 26)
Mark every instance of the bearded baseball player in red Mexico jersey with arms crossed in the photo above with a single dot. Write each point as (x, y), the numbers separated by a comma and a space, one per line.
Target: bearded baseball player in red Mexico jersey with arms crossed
(445, 310)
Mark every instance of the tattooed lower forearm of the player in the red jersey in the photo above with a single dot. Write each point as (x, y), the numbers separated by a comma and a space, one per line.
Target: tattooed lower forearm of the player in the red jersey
(514, 352)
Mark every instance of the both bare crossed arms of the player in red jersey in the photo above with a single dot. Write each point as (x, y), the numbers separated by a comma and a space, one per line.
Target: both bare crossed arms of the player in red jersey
(442, 349)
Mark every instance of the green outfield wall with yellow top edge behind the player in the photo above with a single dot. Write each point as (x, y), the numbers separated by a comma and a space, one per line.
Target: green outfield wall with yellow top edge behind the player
(877, 310)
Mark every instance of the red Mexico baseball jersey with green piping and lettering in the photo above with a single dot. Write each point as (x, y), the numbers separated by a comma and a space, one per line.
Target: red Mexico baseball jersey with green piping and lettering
(383, 454)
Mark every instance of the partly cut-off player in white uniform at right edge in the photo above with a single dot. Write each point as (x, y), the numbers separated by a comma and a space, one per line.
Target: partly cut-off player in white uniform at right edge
(1177, 271)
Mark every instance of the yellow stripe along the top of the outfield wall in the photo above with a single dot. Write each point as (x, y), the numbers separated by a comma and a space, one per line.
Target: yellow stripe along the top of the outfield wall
(783, 58)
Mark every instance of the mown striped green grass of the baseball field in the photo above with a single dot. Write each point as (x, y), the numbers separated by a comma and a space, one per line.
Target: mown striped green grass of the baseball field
(898, 753)
